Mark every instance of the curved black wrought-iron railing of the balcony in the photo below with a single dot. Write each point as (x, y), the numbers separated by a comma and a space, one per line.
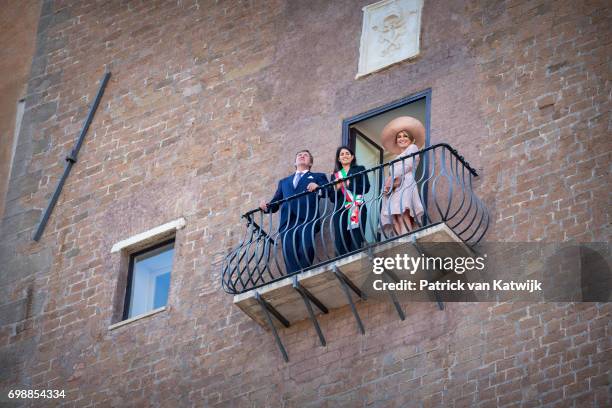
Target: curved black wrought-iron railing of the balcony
(310, 229)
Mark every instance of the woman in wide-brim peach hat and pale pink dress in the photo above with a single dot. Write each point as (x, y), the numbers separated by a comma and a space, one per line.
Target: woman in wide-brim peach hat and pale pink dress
(401, 206)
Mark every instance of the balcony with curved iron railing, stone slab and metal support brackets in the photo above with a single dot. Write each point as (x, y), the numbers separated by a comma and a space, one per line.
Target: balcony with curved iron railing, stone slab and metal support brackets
(329, 265)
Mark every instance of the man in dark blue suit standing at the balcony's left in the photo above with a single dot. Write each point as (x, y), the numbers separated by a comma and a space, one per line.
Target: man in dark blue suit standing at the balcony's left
(298, 220)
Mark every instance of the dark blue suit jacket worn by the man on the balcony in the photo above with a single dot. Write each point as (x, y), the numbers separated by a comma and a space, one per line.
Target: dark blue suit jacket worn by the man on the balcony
(302, 209)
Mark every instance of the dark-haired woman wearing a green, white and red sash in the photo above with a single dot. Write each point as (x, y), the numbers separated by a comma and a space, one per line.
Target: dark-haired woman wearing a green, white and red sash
(350, 213)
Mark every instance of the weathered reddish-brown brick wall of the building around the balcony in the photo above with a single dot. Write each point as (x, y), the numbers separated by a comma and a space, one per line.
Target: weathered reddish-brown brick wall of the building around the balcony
(206, 106)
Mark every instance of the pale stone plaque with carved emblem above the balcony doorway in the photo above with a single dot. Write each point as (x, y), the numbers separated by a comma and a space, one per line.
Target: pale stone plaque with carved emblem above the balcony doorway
(390, 33)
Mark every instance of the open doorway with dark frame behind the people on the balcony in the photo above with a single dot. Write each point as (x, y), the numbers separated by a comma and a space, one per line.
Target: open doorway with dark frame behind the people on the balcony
(362, 133)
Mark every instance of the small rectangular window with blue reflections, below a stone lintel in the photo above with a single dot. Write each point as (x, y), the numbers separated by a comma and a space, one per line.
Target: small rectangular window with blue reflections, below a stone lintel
(148, 282)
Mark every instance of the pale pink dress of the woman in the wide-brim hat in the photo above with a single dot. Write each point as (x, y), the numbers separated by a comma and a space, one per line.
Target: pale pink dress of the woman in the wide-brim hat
(405, 197)
